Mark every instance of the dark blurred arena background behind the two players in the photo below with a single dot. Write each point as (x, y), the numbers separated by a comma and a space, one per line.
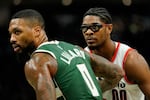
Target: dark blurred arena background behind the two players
(131, 26)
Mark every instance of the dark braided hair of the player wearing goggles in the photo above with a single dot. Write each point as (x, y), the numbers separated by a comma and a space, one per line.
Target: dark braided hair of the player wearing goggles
(100, 12)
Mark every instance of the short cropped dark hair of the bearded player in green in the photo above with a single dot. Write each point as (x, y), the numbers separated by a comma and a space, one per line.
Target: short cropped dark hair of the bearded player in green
(31, 15)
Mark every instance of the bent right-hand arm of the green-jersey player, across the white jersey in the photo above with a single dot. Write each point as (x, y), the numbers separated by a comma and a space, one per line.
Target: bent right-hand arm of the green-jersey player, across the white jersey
(111, 73)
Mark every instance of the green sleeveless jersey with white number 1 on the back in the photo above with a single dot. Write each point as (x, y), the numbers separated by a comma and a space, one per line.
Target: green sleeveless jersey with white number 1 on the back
(74, 75)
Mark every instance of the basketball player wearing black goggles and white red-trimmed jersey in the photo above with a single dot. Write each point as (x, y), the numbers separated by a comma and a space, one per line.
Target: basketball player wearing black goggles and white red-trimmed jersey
(96, 28)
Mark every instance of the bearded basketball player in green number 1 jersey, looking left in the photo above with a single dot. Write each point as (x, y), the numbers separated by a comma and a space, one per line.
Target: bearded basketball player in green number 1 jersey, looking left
(57, 62)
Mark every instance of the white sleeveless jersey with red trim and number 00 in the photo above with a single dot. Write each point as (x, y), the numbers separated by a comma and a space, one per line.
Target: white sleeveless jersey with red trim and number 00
(125, 90)
